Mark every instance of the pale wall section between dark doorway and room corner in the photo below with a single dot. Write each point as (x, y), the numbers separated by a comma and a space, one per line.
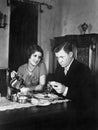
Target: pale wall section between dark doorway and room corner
(49, 26)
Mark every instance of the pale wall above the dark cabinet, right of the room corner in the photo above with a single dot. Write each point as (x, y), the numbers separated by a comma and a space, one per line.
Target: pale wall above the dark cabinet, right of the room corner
(77, 12)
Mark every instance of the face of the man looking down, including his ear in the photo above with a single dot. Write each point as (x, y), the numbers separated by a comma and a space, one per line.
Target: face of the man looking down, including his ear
(64, 58)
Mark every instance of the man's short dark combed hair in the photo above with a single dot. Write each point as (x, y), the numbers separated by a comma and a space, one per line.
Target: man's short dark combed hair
(66, 46)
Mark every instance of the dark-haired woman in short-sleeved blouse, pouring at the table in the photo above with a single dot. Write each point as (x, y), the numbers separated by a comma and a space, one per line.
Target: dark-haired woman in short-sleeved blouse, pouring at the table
(34, 72)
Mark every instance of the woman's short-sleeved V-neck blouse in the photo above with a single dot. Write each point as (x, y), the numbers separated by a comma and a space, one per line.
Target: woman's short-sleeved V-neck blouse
(32, 79)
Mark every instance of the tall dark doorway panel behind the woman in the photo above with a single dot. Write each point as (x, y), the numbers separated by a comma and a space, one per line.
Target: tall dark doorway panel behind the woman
(23, 32)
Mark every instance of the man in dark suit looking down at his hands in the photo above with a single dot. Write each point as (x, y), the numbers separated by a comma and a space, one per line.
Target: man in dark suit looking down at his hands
(73, 79)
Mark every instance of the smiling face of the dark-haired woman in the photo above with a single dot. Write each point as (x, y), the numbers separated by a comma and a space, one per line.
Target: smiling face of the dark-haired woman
(35, 58)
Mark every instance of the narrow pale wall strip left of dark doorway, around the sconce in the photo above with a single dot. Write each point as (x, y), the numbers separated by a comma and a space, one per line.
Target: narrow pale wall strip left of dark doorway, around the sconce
(4, 36)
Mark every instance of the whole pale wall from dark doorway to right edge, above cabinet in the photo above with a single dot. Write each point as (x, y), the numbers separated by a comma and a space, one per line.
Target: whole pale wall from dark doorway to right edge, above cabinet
(64, 18)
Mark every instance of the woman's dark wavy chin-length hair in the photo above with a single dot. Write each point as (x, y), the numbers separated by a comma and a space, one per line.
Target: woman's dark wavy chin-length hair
(32, 49)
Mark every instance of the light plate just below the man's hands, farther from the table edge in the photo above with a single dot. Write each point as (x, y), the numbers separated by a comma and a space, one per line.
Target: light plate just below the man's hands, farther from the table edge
(45, 96)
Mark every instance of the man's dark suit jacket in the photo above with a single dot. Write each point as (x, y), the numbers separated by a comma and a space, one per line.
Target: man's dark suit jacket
(80, 82)
